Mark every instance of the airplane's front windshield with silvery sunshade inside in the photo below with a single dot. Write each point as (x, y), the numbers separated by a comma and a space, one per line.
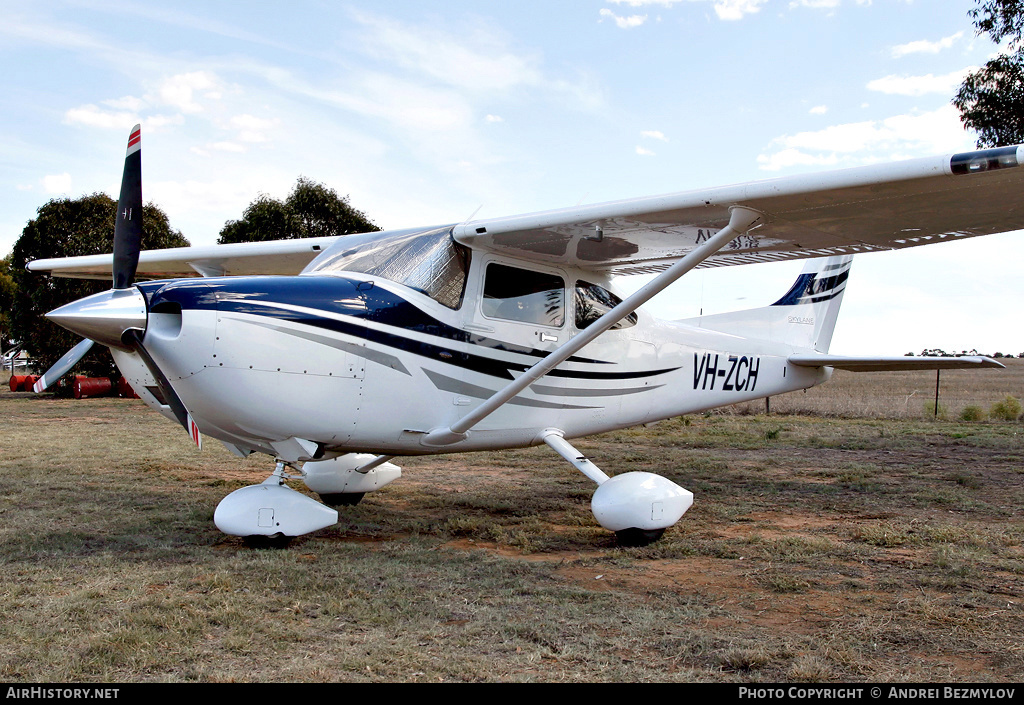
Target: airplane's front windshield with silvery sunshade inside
(431, 262)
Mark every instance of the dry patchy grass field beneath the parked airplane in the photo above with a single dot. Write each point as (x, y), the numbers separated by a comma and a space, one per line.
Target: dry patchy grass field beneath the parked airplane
(867, 542)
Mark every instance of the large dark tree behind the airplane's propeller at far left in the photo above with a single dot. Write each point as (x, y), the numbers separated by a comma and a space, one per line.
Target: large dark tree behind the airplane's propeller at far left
(66, 228)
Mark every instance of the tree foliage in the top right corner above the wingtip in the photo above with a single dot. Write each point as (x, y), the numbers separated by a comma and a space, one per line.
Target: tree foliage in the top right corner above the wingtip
(992, 100)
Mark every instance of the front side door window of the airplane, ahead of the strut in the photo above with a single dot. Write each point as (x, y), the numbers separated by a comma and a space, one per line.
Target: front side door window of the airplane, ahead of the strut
(523, 296)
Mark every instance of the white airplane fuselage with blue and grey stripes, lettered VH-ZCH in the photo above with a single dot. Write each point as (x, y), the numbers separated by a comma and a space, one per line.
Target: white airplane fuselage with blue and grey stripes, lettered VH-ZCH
(359, 363)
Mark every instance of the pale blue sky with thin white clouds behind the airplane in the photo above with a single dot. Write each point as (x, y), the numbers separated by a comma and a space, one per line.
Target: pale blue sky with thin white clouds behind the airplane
(431, 113)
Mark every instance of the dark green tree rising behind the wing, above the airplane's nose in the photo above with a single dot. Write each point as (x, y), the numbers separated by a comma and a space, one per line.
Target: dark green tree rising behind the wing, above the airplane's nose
(312, 211)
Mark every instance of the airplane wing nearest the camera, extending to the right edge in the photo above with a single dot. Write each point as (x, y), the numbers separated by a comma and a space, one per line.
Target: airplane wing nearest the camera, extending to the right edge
(881, 208)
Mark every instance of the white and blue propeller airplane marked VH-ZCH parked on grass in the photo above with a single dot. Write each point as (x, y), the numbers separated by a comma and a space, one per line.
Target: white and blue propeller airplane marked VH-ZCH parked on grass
(505, 333)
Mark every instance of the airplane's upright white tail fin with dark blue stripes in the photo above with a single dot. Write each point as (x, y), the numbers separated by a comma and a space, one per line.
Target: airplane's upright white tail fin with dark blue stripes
(804, 318)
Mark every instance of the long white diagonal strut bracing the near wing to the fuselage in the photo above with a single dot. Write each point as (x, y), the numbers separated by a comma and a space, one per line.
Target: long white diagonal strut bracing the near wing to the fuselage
(741, 221)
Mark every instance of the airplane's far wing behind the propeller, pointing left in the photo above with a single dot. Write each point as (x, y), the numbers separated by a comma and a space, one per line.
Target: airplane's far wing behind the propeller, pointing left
(275, 258)
